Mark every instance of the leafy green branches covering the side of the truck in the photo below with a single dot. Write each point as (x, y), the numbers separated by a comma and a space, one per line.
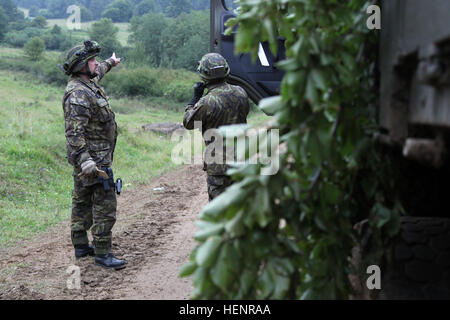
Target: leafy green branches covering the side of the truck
(289, 235)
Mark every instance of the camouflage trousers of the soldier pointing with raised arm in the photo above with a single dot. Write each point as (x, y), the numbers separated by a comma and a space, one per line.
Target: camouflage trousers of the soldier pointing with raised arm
(94, 207)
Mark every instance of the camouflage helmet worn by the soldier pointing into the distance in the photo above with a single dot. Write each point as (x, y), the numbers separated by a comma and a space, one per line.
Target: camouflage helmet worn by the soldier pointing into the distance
(78, 56)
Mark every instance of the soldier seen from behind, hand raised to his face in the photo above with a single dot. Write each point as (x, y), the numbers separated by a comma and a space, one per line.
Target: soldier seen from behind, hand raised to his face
(223, 104)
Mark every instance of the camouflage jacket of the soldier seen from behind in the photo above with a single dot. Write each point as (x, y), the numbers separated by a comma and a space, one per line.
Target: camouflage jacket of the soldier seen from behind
(223, 104)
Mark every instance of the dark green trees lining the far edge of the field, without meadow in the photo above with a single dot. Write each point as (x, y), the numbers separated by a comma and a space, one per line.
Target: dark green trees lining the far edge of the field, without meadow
(156, 39)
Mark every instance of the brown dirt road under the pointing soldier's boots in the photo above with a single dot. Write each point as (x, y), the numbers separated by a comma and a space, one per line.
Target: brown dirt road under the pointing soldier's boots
(154, 233)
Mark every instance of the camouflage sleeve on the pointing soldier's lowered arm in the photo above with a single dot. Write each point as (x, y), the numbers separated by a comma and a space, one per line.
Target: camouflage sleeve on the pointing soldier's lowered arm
(77, 119)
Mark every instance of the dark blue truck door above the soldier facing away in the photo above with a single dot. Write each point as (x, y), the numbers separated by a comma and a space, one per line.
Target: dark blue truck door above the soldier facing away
(260, 79)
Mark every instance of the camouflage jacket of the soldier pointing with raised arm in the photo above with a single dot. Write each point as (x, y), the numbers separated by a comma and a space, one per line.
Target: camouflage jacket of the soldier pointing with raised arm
(90, 126)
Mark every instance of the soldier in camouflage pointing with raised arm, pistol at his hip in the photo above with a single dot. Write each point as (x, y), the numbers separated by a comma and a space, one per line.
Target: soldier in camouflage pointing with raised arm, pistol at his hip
(91, 135)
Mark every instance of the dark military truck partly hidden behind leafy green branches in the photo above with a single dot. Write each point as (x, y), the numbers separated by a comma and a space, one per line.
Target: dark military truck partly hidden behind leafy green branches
(413, 114)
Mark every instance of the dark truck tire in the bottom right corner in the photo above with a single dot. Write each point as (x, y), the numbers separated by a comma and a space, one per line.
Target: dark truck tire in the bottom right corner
(419, 267)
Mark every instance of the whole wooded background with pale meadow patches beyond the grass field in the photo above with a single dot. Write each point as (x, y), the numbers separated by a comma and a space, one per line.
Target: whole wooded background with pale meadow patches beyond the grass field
(156, 37)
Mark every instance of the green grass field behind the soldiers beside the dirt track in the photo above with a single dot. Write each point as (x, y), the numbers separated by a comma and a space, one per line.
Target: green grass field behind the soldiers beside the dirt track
(35, 177)
